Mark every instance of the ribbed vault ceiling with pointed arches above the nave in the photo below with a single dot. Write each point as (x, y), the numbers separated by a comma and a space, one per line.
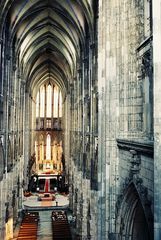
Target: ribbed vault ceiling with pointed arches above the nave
(46, 37)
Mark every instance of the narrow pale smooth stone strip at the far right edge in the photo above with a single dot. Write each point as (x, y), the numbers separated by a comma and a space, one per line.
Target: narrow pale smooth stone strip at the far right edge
(157, 116)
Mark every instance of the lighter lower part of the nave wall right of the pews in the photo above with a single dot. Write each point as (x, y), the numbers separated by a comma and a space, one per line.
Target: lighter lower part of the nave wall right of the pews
(83, 203)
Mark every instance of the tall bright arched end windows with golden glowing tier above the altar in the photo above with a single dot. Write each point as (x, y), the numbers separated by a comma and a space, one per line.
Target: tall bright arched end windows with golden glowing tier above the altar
(48, 144)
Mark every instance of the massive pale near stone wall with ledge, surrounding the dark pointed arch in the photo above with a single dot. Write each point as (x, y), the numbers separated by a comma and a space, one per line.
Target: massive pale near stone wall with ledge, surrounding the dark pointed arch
(125, 108)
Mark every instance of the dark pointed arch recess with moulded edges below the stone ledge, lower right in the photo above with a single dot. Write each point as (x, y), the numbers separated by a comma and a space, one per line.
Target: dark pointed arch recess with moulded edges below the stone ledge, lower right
(132, 223)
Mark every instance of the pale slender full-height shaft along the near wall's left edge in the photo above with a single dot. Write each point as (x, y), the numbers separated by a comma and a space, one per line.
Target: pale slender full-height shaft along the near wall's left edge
(101, 120)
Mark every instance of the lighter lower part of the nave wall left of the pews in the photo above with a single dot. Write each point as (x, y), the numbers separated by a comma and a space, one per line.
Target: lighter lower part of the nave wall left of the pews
(11, 197)
